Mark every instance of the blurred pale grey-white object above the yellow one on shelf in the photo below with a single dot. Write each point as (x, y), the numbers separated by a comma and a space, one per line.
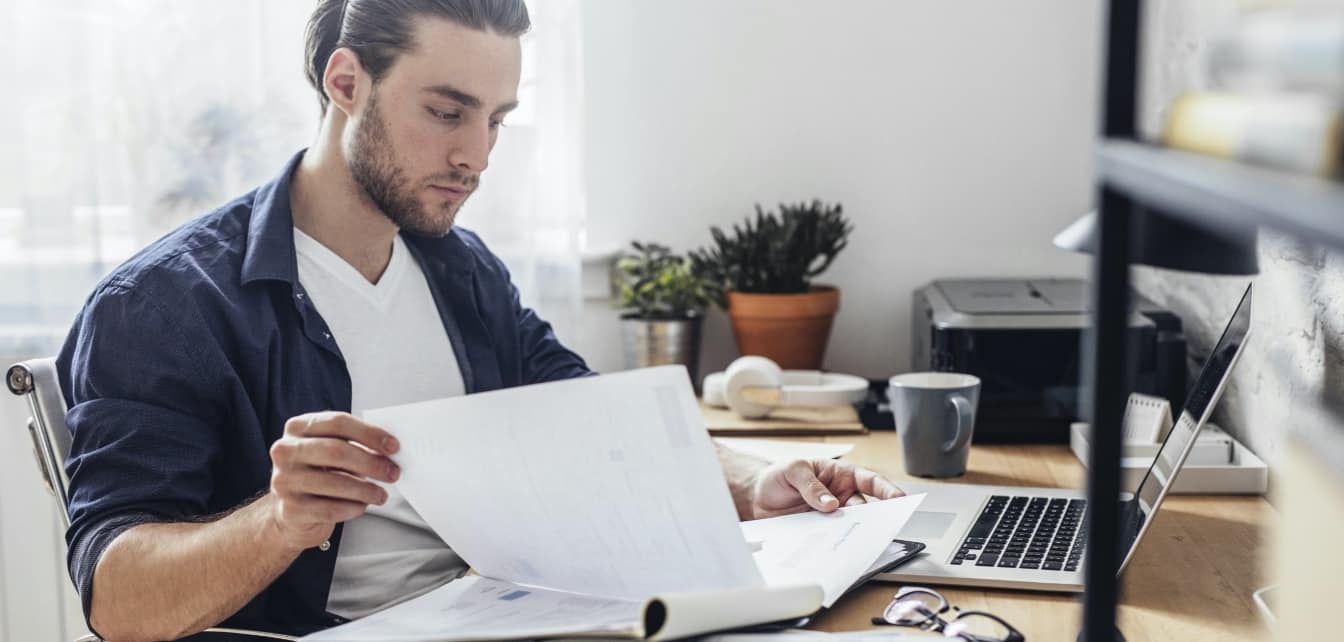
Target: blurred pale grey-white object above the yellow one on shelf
(1287, 50)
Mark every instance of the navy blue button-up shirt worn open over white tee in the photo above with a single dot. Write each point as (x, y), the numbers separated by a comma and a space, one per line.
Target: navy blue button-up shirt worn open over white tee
(189, 359)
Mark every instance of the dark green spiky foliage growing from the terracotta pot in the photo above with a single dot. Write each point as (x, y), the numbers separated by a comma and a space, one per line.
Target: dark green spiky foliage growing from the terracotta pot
(773, 255)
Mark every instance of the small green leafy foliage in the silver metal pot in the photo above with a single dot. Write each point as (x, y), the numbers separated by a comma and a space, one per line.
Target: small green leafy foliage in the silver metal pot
(658, 284)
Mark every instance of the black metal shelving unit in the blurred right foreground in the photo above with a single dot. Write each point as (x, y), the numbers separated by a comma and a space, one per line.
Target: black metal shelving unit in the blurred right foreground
(1210, 194)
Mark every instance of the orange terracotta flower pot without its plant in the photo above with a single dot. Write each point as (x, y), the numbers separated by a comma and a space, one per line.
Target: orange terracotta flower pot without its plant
(791, 330)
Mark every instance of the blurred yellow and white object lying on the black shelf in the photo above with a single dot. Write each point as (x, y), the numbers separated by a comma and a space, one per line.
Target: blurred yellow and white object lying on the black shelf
(1294, 132)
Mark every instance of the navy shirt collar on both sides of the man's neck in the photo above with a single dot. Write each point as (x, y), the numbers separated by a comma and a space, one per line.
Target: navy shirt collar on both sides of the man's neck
(271, 237)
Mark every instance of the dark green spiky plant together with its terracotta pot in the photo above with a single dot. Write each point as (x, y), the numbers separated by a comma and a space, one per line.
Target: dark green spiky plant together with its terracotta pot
(763, 273)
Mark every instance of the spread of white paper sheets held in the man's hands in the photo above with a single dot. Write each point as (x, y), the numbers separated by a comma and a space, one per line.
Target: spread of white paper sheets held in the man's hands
(597, 508)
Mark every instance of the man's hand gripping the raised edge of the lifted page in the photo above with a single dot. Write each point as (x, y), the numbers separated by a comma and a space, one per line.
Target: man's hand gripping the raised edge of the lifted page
(321, 473)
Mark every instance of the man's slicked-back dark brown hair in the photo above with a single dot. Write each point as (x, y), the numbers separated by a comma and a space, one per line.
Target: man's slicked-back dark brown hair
(380, 30)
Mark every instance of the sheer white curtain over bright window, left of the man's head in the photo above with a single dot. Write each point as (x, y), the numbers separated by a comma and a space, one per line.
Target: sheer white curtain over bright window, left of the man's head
(127, 119)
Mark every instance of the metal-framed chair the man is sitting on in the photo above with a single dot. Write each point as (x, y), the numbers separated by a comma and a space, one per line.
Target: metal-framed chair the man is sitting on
(37, 381)
